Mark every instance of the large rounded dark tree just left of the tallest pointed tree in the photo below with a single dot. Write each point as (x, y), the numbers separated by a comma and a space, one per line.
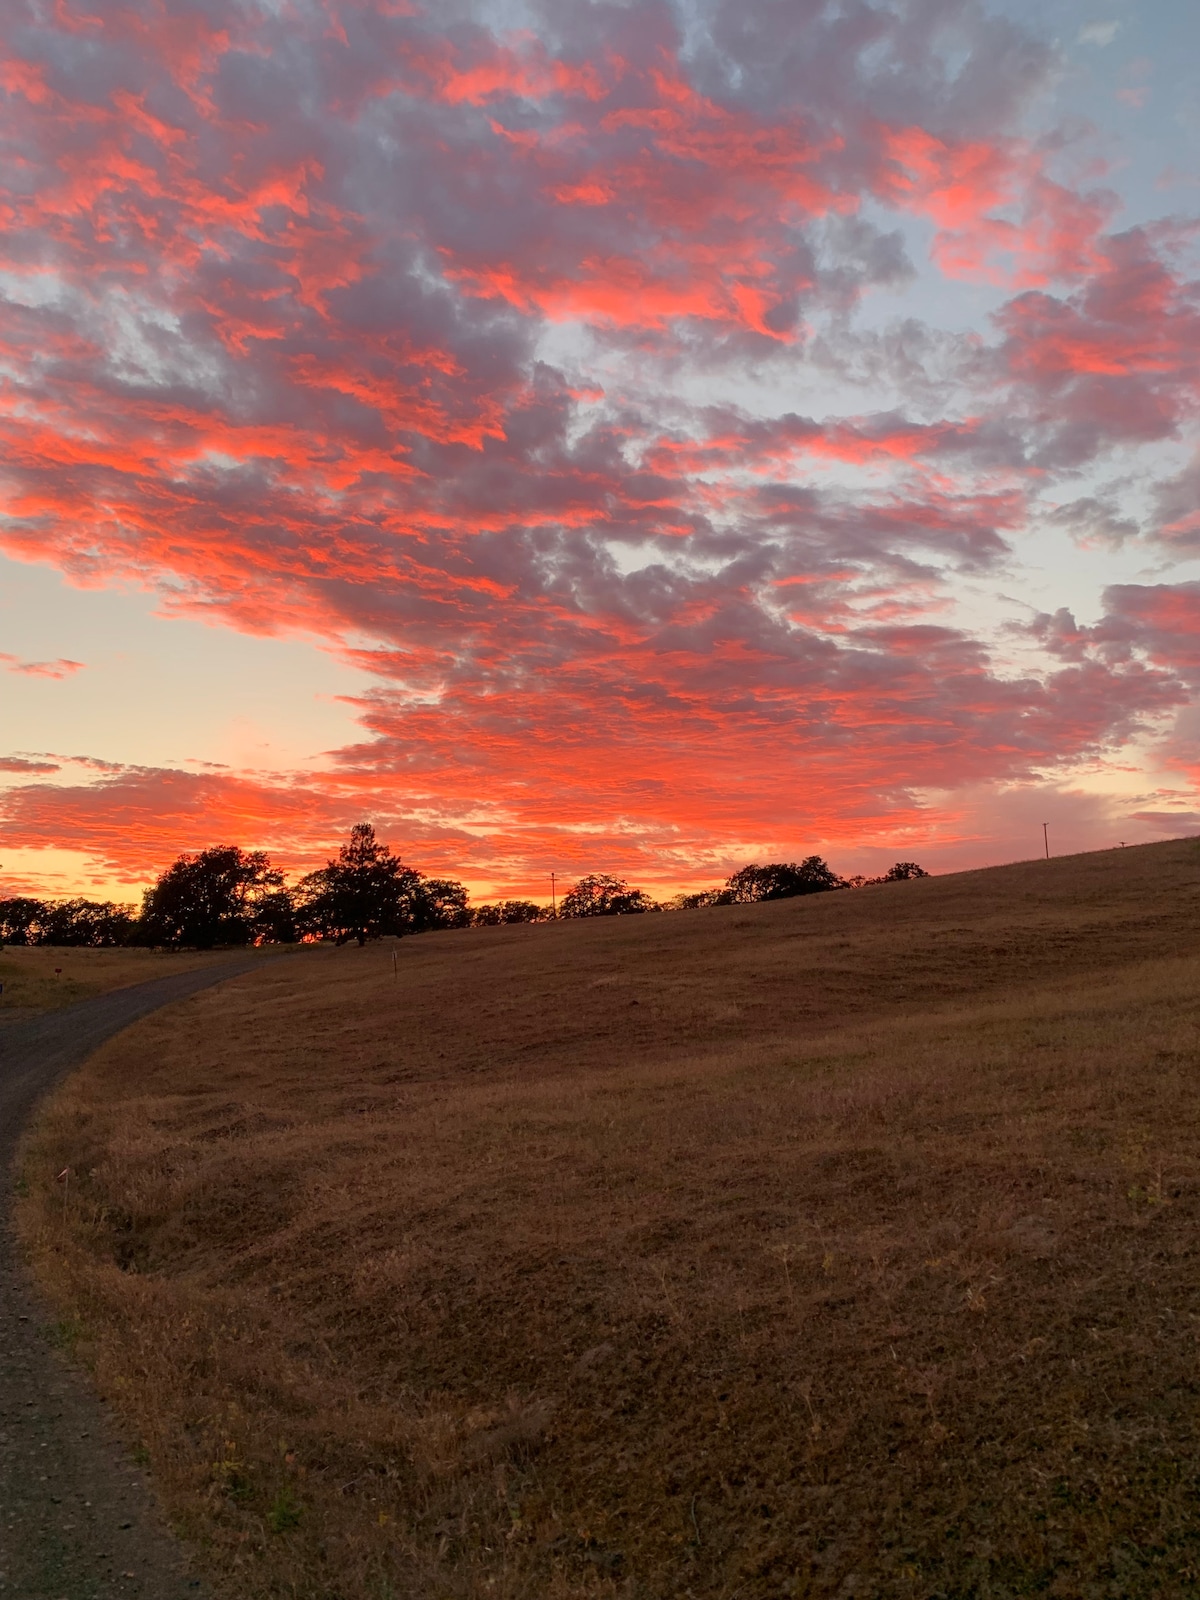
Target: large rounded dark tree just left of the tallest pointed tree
(220, 897)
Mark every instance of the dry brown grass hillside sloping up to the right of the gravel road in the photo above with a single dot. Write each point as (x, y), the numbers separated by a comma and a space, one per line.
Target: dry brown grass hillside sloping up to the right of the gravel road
(830, 1247)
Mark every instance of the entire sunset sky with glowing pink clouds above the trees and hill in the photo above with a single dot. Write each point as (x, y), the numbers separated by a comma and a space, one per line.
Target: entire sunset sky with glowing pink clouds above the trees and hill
(633, 438)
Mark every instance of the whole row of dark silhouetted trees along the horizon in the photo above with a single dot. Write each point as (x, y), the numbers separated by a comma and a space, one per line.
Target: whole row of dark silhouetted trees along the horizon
(233, 897)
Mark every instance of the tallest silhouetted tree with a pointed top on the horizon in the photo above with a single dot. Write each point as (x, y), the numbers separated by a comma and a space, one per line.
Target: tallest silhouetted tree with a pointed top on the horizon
(367, 894)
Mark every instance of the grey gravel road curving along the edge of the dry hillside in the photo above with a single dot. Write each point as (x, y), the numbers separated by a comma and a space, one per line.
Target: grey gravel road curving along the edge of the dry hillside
(78, 1522)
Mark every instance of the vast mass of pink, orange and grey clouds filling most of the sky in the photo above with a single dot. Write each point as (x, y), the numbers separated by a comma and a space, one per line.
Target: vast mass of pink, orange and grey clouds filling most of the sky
(278, 351)
